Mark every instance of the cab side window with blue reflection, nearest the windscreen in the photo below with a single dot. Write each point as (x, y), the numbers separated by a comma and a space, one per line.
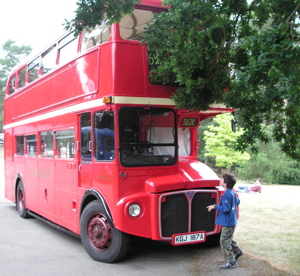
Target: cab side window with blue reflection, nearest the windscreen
(104, 136)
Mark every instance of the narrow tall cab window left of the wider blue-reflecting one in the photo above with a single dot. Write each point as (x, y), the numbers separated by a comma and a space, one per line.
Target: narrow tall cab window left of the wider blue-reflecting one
(86, 143)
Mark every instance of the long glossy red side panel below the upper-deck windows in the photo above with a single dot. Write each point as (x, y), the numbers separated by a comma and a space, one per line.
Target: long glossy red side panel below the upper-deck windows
(71, 82)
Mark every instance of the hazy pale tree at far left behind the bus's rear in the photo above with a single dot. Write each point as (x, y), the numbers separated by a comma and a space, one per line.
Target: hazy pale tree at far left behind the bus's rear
(12, 56)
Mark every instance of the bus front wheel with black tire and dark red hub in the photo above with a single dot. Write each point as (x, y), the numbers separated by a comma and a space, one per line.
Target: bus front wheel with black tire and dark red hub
(101, 240)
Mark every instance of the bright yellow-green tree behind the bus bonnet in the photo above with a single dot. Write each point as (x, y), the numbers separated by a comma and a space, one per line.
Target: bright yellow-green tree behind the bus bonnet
(220, 141)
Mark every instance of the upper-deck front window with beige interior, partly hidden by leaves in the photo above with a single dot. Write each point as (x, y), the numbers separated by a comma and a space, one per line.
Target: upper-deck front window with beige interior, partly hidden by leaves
(132, 26)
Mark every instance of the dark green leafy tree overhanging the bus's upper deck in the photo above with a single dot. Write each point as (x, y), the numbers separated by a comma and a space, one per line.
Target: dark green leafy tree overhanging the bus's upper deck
(249, 49)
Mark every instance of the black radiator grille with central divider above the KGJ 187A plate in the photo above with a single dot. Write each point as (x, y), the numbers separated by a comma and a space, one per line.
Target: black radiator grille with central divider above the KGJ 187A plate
(181, 213)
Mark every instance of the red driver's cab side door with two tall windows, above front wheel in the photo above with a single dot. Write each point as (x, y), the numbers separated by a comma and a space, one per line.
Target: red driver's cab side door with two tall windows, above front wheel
(97, 151)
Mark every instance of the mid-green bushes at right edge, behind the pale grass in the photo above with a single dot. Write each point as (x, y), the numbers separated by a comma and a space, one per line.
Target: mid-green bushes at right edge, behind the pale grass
(270, 164)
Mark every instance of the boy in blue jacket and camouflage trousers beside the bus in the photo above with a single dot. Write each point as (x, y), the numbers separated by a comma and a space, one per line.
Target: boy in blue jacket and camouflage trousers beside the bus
(227, 218)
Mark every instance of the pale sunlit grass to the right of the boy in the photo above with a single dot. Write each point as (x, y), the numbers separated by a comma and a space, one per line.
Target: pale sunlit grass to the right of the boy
(269, 226)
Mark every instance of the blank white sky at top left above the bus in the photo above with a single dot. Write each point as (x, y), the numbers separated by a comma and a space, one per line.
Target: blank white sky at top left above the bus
(35, 23)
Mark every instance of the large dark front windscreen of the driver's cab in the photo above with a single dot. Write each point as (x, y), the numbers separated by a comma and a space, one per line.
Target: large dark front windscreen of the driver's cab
(147, 136)
